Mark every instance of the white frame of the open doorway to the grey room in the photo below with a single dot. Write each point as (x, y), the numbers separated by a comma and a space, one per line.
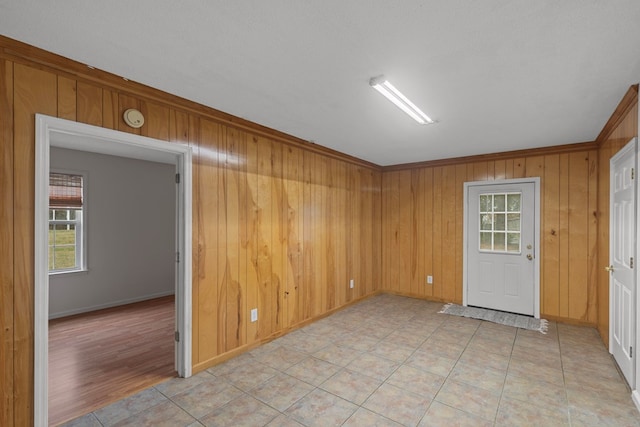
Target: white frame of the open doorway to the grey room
(51, 131)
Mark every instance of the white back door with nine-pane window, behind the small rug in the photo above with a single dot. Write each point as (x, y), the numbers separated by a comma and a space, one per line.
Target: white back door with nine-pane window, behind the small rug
(500, 253)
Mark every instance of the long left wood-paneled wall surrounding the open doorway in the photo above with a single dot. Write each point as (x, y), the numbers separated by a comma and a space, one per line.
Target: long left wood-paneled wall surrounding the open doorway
(278, 224)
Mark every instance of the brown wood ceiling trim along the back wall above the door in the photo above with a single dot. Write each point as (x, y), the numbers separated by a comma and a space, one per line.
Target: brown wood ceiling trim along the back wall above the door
(530, 152)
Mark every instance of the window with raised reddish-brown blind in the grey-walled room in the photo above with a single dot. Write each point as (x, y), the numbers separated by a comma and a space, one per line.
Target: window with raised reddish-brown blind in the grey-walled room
(66, 197)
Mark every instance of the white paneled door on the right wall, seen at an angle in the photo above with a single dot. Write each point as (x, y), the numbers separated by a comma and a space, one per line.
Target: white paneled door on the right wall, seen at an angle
(622, 309)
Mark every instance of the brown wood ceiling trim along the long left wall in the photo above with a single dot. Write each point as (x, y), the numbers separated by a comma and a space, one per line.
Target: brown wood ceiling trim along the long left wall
(23, 53)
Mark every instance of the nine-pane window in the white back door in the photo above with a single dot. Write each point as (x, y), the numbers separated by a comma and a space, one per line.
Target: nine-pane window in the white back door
(500, 222)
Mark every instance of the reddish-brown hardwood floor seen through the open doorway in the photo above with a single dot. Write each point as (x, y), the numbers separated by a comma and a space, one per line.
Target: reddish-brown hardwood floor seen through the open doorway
(100, 357)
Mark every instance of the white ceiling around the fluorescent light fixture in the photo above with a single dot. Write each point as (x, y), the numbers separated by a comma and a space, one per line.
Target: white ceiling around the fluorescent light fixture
(498, 75)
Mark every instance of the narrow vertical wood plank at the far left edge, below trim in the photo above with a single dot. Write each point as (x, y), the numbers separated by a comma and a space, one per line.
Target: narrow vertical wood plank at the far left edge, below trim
(6, 244)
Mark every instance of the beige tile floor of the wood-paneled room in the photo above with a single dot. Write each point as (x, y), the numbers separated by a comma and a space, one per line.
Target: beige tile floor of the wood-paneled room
(390, 361)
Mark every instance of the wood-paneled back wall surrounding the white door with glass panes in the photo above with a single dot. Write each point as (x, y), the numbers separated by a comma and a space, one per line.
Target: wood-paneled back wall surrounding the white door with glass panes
(422, 212)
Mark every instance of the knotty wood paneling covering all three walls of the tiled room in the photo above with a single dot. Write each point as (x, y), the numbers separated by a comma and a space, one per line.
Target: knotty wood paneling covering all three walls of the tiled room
(282, 225)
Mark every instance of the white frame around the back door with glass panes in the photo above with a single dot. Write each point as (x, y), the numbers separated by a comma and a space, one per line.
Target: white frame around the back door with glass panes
(536, 236)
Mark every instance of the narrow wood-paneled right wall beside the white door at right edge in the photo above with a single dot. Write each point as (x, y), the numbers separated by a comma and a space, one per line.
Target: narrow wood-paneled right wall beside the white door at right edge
(622, 126)
